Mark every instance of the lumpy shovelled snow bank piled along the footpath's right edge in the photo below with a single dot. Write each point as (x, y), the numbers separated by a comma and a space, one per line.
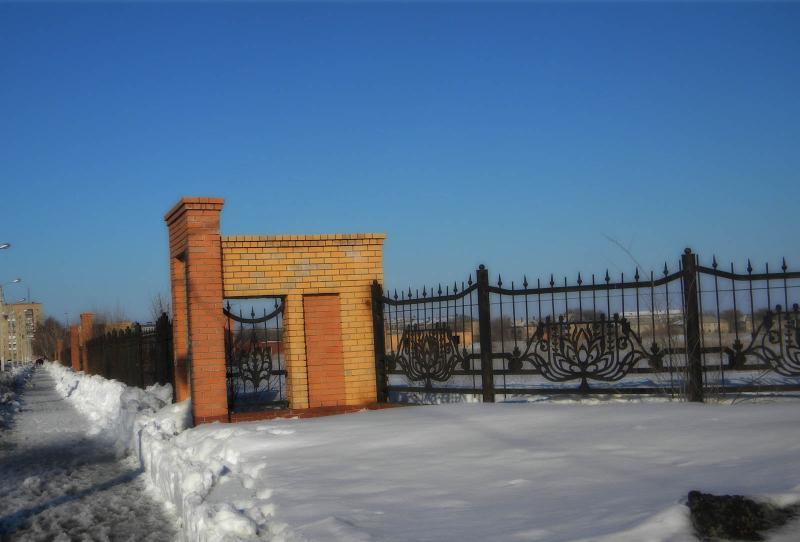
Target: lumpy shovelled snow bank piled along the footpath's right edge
(181, 467)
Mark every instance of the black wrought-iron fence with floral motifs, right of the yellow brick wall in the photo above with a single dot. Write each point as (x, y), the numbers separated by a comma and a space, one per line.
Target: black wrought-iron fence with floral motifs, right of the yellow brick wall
(689, 332)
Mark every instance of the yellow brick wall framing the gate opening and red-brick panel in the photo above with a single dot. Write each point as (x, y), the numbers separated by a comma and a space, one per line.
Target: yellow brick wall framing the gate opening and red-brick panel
(298, 265)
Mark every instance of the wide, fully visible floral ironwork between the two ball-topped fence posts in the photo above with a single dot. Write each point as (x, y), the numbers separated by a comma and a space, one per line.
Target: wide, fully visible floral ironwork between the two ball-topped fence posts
(604, 350)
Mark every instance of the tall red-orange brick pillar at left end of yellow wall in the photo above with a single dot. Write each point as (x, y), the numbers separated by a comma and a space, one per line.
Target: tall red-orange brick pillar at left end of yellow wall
(199, 325)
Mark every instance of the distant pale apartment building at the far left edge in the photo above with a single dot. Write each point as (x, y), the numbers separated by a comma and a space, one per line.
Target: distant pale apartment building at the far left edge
(18, 325)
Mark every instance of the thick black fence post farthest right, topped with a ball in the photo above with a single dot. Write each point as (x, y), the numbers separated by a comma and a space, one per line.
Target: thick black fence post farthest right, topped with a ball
(692, 320)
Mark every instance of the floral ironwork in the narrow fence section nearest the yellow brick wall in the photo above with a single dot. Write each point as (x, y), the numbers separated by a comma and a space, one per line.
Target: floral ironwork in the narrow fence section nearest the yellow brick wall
(427, 354)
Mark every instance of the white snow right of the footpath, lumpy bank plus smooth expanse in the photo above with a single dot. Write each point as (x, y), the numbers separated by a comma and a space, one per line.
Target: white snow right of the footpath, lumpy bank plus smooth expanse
(593, 470)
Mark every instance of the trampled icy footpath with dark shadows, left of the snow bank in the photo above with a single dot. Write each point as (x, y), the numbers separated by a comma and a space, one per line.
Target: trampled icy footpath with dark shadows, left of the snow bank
(59, 483)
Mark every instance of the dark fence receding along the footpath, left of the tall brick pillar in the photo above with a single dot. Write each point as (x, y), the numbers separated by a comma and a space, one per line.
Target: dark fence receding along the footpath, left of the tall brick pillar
(138, 356)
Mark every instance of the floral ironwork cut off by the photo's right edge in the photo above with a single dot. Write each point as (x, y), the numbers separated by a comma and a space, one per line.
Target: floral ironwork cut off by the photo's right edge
(776, 342)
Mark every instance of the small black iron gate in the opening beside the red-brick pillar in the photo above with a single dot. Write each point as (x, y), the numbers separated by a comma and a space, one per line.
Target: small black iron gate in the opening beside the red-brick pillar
(254, 356)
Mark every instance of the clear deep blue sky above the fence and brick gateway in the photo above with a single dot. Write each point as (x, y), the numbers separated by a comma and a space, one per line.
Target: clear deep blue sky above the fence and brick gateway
(516, 135)
